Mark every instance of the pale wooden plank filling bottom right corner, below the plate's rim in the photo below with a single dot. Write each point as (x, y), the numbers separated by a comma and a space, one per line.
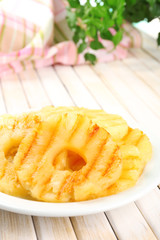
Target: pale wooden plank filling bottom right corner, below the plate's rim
(150, 209)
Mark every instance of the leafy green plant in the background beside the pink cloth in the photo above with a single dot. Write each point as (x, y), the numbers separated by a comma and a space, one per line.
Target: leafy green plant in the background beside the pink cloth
(94, 18)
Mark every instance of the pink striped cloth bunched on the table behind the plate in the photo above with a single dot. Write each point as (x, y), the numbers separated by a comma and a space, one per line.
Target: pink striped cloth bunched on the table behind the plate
(27, 30)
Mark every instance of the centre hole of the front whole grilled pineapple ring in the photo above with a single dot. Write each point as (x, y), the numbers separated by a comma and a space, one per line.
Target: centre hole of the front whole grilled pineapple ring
(69, 160)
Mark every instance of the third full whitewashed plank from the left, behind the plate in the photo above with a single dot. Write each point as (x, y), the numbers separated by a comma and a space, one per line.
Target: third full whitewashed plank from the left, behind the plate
(54, 87)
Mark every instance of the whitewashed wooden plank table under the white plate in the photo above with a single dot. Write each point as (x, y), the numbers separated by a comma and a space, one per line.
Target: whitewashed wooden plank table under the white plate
(131, 88)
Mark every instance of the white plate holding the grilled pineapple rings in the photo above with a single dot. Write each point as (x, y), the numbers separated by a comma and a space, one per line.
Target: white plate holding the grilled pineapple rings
(149, 179)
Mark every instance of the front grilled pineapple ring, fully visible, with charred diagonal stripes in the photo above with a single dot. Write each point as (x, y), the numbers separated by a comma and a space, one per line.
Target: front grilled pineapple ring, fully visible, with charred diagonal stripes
(45, 171)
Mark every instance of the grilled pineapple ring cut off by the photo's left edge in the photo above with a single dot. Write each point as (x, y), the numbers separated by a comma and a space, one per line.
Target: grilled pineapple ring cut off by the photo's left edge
(12, 130)
